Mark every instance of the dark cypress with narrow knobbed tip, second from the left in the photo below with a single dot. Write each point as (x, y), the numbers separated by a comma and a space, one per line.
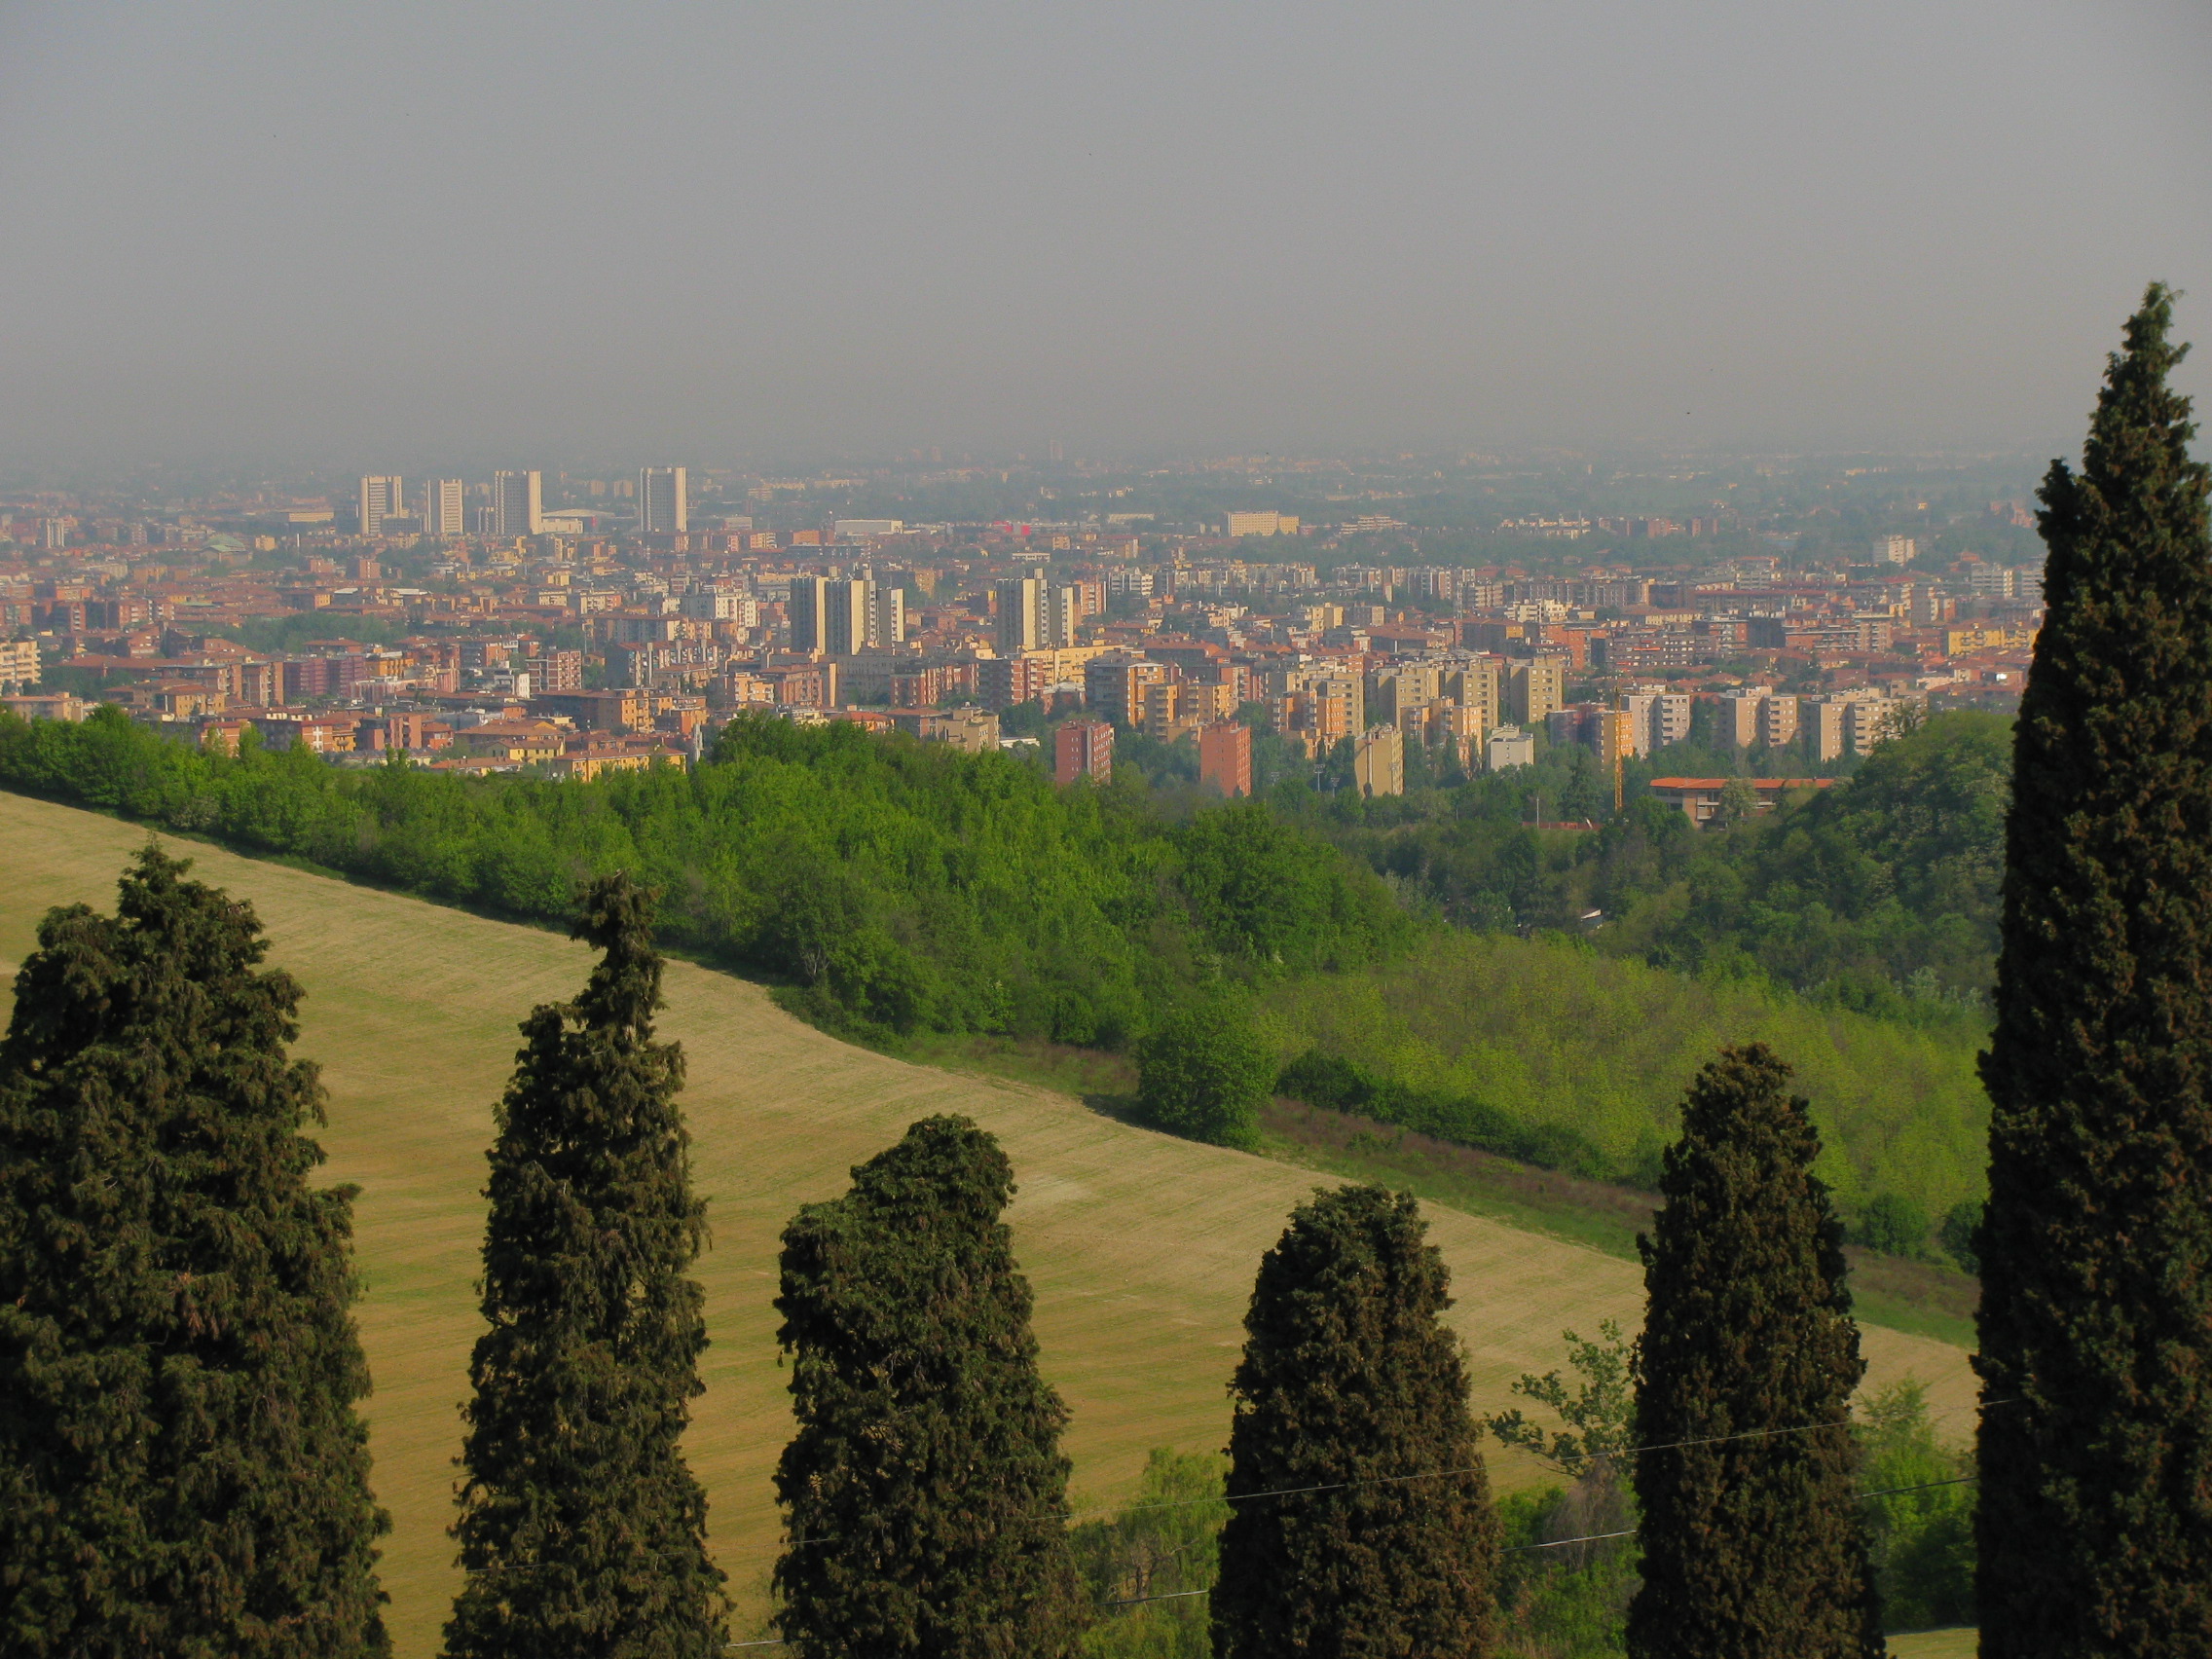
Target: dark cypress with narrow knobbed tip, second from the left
(581, 1525)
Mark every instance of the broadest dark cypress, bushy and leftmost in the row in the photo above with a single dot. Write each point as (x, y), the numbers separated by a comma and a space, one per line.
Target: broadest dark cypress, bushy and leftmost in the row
(182, 1470)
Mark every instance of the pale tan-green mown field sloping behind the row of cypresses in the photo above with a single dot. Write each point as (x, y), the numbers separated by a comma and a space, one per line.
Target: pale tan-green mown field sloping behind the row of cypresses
(1140, 1246)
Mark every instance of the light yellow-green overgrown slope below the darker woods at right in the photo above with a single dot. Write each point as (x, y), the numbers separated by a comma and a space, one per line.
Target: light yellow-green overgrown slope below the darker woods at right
(1561, 1036)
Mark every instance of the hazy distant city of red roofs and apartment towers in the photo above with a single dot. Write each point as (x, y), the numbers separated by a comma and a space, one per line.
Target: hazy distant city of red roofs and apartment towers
(614, 623)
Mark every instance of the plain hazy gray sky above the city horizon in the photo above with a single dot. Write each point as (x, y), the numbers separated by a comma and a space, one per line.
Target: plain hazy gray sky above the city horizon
(397, 233)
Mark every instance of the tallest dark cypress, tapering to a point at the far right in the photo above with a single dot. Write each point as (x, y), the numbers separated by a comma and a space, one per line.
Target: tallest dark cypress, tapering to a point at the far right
(2096, 1454)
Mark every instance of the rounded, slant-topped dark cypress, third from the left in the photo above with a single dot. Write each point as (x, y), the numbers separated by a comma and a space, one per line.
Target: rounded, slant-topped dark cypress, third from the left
(926, 1490)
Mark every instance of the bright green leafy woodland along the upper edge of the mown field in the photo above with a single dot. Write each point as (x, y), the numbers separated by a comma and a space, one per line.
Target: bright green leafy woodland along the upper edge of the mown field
(897, 886)
